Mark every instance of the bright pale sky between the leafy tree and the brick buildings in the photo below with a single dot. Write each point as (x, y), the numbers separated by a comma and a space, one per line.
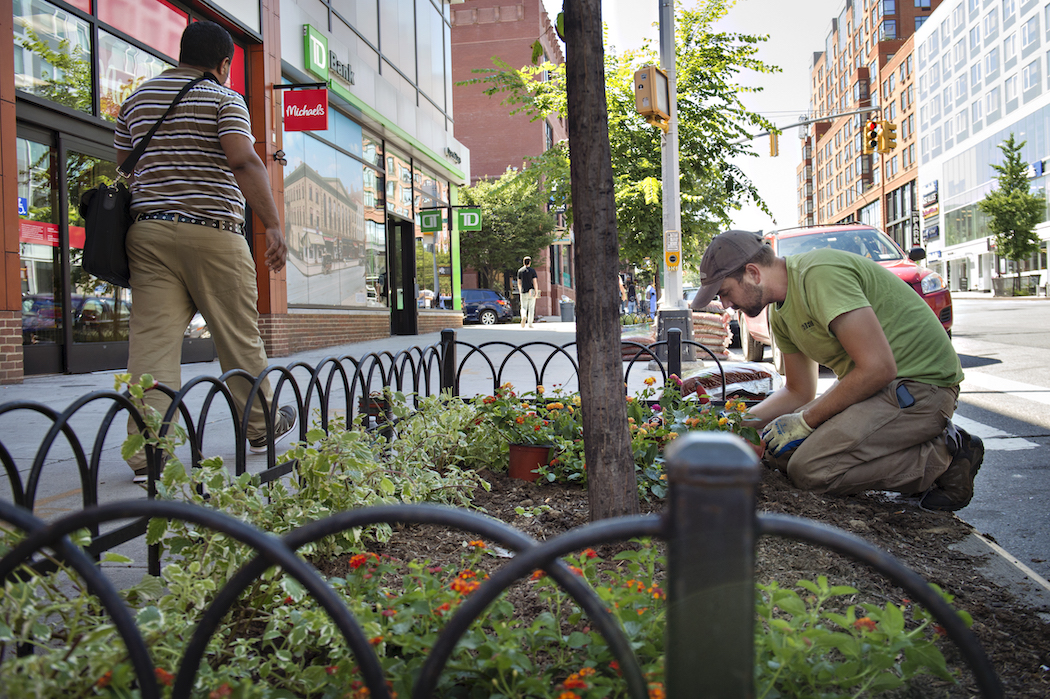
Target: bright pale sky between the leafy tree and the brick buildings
(796, 31)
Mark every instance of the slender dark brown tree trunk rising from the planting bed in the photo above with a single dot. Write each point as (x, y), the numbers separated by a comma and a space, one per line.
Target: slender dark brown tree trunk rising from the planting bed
(613, 486)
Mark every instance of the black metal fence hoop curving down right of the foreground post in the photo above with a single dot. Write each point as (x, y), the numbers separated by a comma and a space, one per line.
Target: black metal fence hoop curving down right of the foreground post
(881, 562)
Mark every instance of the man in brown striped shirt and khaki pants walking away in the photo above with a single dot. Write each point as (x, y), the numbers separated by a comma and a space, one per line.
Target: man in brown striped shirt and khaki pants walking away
(187, 249)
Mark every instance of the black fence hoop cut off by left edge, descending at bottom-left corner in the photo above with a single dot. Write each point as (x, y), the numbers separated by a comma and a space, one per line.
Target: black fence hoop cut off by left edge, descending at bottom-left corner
(102, 589)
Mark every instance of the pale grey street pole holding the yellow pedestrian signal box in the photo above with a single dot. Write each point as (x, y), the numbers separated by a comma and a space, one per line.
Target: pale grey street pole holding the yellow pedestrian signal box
(669, 172)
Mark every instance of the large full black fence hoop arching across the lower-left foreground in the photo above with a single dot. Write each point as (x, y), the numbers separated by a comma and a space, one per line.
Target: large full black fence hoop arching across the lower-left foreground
(270, 548)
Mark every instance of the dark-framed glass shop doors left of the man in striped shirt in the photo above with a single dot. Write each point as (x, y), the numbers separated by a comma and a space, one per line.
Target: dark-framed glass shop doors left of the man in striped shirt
(72, 322)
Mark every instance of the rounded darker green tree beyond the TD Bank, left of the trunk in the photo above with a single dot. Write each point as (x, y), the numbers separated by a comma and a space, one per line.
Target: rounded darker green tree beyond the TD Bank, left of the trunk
(515, 224)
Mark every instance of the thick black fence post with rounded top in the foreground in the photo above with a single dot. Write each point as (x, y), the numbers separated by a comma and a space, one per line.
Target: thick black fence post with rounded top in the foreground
(711, 566)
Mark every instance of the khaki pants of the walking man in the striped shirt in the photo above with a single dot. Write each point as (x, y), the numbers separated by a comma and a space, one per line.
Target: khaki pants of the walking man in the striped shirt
(177, 270)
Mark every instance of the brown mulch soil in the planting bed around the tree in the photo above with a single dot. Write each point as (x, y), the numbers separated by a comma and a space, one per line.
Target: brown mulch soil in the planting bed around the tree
(1014, 636)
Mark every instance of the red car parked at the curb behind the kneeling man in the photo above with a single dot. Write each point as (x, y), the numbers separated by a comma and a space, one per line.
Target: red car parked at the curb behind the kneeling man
(860, 240)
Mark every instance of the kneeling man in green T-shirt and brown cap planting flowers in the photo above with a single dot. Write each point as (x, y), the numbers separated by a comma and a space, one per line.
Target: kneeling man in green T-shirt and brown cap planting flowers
(886, 425)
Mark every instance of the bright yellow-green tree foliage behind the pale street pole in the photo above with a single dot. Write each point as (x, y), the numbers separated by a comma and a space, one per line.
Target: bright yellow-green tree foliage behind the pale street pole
(715, 129)
